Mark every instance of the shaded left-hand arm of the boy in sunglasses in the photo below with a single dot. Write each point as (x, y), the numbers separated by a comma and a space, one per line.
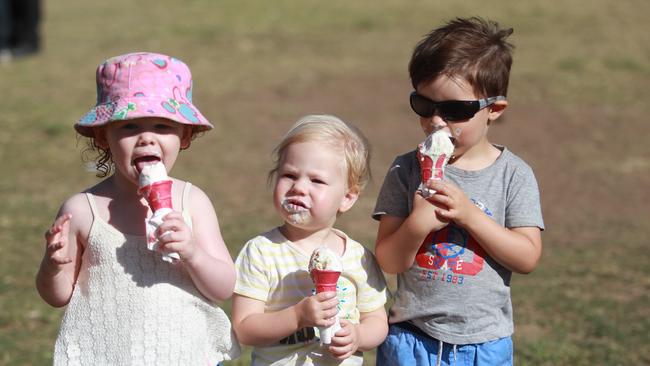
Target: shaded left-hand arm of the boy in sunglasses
(398, 238)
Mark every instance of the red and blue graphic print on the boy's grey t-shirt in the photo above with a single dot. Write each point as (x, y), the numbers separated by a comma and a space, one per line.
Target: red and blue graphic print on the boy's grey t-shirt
(451, 249)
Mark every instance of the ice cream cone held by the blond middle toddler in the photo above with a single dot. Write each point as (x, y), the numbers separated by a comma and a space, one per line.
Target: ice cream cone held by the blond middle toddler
(325, 268)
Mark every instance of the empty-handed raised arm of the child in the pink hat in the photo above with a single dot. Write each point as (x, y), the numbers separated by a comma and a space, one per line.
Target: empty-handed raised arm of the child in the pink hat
(59, 268)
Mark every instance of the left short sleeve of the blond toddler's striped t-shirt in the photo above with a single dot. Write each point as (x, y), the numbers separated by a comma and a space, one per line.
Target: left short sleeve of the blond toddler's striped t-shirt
(252, 274)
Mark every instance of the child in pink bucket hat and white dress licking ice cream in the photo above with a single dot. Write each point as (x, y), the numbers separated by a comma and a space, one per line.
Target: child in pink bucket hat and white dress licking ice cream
(125, 304)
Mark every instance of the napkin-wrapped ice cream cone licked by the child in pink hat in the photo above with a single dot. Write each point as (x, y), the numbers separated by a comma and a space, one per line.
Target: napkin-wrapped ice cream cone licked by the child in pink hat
(156, 187)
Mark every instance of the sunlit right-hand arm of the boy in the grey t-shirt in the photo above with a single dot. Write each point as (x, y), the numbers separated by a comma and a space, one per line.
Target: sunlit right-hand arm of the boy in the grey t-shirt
(517, 249)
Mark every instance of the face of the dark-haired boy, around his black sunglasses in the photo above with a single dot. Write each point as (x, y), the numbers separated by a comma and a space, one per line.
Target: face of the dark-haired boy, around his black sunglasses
(468, 134)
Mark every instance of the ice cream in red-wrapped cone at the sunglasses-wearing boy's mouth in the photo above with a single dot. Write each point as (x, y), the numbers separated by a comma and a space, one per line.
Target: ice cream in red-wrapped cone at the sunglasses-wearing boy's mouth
(434, 154)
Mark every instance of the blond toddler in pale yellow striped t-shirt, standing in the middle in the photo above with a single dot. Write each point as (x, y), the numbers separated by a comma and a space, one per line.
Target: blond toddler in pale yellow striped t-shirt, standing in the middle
(322, 165)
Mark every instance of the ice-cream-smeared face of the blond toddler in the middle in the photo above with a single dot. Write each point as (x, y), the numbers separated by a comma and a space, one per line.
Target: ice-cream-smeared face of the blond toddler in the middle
(311, 186)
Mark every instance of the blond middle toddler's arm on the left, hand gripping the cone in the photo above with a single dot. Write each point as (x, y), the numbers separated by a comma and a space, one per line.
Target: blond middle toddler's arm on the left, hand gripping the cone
(255, 327)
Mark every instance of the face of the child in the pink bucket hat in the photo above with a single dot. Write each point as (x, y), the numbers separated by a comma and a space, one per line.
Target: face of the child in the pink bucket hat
(137, 142)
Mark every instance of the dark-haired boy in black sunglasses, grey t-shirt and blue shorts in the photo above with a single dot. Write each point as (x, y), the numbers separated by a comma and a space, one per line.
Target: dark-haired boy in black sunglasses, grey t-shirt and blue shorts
(454, 253)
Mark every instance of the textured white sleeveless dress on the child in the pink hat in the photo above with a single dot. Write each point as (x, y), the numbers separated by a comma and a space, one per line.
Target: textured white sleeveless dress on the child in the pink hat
(129, 307)
